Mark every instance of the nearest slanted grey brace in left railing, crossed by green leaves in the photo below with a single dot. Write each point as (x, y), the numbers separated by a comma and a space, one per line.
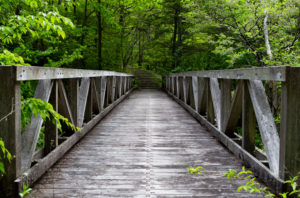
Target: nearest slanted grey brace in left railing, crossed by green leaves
(31, 133)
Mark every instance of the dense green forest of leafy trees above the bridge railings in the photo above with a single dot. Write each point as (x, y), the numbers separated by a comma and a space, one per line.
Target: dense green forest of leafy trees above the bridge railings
(161, 35)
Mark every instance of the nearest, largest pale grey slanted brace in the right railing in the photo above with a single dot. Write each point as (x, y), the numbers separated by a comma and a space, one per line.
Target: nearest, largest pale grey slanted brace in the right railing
(267, 127)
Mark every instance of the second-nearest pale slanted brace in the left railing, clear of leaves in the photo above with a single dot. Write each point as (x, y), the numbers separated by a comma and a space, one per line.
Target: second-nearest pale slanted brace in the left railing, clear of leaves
(82, 99)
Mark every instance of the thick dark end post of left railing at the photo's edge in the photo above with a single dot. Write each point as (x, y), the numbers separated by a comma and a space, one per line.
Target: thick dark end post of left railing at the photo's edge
(10, 129)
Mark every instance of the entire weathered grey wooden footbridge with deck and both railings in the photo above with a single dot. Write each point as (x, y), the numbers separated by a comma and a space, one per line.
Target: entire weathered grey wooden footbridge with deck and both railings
(143, 146)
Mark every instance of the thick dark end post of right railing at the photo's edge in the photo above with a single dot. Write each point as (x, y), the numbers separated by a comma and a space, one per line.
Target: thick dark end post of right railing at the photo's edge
(289, 163)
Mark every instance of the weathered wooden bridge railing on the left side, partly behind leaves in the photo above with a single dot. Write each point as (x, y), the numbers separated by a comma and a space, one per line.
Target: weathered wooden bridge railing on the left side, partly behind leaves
(82, 96)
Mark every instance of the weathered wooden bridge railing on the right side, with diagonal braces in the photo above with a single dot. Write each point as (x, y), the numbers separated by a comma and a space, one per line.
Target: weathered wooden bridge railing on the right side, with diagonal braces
(228, 100)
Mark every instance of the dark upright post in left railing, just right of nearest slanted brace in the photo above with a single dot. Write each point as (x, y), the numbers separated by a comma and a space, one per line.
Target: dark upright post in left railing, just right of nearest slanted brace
(51, 130)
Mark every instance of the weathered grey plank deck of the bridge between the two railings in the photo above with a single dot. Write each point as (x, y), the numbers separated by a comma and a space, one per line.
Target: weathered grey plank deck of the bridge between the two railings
(143, 149)
